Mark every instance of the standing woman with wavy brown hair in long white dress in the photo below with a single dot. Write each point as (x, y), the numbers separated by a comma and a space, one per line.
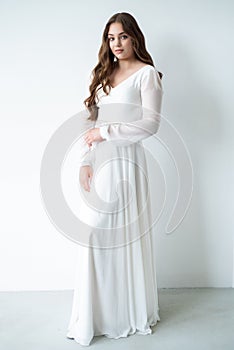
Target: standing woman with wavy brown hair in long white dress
(116, 290)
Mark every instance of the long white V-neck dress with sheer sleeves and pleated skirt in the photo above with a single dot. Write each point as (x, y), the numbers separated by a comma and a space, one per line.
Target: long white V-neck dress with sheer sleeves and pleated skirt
(115, 290)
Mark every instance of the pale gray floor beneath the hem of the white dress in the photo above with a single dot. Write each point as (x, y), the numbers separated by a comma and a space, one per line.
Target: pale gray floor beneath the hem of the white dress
(197, 318)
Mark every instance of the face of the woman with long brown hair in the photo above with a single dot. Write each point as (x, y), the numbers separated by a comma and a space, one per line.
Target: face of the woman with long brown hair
(120, 42)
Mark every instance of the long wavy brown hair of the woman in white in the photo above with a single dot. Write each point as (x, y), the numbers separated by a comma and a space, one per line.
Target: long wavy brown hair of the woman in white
(106, 63)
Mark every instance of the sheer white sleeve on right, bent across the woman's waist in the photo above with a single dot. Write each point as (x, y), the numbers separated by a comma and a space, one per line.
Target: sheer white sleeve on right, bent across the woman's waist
(151, 98)
